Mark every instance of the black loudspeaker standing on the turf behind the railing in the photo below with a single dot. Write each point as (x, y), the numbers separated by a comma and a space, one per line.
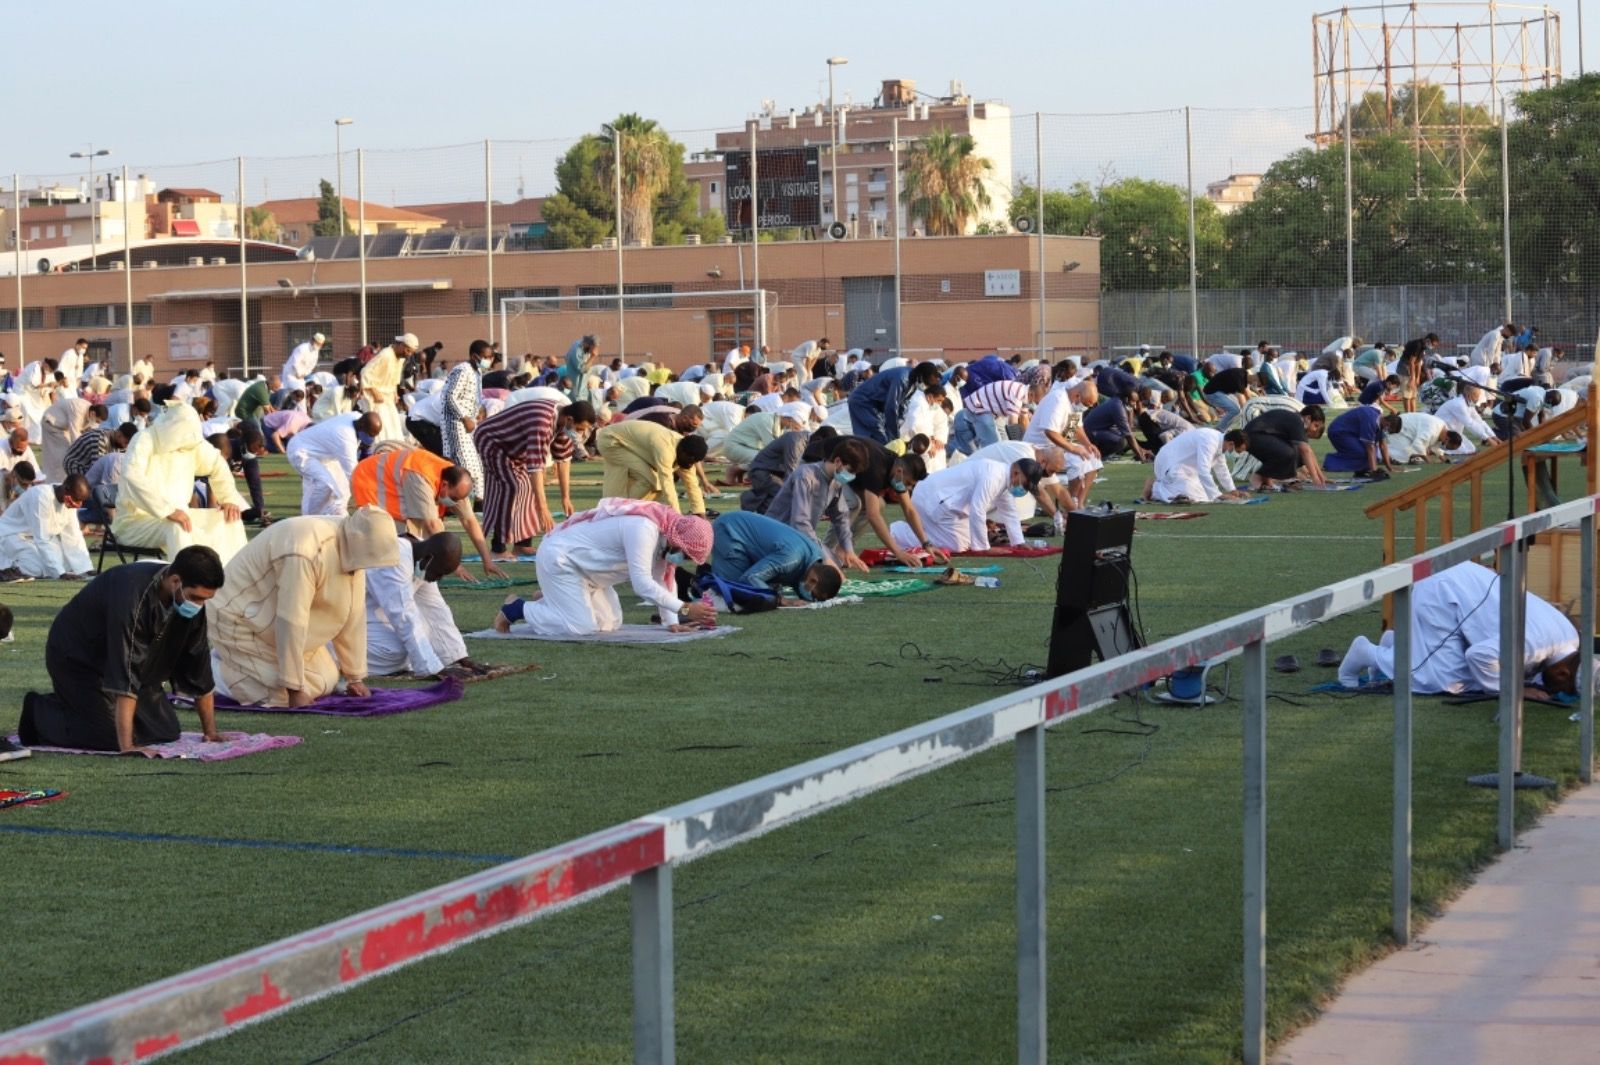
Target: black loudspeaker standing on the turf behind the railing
(1092, 591)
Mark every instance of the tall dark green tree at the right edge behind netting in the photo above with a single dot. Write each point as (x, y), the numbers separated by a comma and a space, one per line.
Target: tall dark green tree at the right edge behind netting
(1554, 183)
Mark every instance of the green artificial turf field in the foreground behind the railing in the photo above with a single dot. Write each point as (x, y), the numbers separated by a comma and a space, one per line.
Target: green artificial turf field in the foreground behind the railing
(881, 931)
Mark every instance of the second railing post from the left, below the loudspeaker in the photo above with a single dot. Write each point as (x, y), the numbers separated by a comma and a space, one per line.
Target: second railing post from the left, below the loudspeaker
(1031, 963)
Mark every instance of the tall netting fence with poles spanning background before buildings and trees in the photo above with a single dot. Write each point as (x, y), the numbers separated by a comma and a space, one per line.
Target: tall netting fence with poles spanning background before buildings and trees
(1279, 247)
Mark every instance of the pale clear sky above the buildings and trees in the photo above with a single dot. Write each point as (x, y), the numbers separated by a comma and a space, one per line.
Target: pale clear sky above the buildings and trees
(180, 81)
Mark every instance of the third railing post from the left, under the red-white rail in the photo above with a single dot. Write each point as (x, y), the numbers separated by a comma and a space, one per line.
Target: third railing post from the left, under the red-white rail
(1255, 668)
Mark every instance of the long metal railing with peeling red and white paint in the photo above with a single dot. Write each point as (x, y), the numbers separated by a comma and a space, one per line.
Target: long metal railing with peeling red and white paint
(215, 1000)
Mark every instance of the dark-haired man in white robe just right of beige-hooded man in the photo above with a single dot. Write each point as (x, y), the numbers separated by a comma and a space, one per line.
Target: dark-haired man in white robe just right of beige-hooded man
(409, 624)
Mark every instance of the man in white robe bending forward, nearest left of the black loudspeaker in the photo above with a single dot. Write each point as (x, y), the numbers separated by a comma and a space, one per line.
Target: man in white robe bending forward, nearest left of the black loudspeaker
(956, 503)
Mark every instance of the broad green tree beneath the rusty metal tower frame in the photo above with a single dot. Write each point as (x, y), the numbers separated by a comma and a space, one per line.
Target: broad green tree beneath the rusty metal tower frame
(1294, 233)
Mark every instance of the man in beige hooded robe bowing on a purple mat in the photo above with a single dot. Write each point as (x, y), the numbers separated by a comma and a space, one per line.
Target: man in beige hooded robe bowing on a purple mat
(294, 592)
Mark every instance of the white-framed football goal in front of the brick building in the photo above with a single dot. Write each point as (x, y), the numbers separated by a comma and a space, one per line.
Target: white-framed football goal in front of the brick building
(676, 330)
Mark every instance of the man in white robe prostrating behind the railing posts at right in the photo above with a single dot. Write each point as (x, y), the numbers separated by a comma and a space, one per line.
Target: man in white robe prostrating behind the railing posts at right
(1455, 639)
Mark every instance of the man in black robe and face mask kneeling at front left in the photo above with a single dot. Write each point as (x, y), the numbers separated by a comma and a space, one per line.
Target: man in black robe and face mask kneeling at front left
(118, 639)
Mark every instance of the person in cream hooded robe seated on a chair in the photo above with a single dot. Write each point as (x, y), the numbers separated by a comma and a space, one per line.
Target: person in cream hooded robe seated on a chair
(159, 482)
